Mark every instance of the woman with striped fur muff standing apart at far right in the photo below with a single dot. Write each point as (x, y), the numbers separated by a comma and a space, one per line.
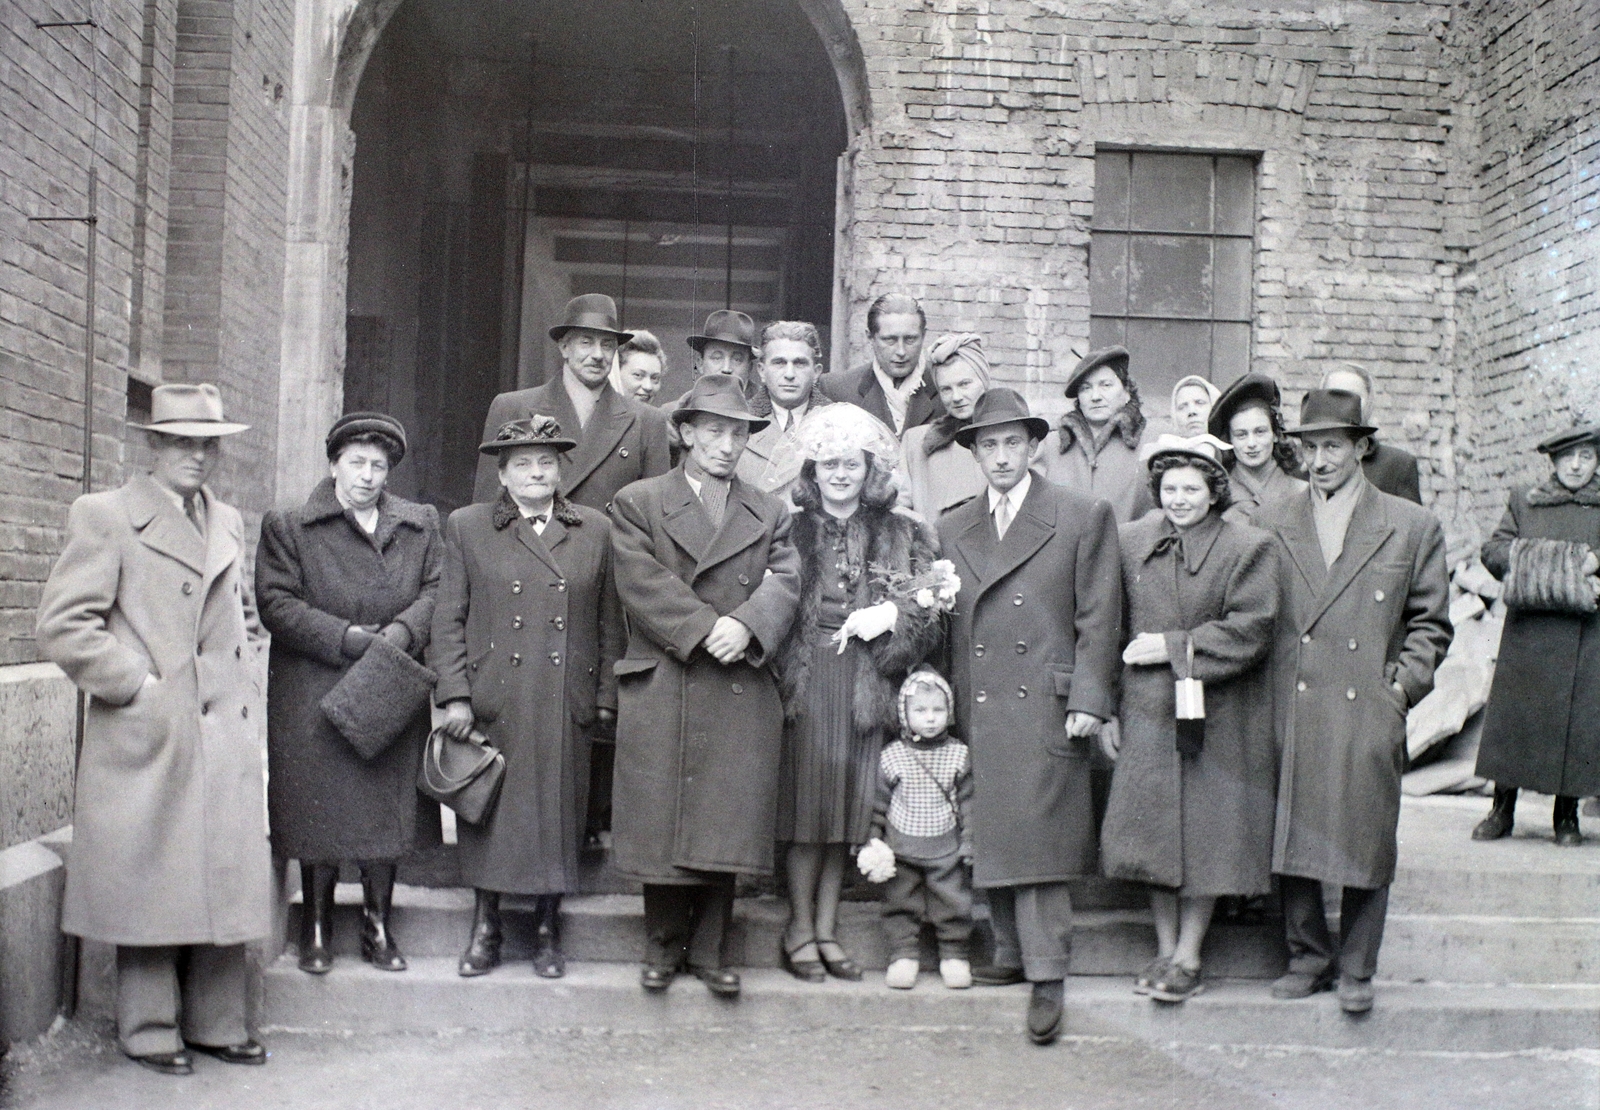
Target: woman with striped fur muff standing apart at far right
(1542, 727)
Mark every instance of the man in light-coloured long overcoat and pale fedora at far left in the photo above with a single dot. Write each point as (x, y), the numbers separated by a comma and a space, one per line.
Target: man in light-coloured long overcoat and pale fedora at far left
(148, 612)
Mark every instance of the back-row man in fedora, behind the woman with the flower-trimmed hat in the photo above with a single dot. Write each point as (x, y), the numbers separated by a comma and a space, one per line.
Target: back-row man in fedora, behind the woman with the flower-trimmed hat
(620, 441)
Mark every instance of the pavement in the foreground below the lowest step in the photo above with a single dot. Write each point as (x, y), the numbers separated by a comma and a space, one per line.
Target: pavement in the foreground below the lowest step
(876, 1069)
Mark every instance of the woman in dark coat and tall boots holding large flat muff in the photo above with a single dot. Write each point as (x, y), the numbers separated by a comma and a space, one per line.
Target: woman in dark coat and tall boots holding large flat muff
(348, 567)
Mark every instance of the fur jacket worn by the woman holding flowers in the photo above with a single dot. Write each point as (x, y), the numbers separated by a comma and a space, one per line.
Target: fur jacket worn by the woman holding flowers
(876, 537)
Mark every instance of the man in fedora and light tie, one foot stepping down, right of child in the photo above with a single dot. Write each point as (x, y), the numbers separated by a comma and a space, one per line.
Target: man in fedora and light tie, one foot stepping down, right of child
(1036, 655)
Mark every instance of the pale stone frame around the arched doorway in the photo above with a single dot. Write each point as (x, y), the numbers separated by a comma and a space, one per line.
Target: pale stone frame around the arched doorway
(334, 39)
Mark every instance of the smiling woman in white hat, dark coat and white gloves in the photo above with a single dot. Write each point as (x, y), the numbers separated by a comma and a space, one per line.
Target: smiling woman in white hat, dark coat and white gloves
(1193, 817)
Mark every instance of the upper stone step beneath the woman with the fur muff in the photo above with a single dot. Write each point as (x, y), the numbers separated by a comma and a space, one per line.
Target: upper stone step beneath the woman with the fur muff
(1444, 871)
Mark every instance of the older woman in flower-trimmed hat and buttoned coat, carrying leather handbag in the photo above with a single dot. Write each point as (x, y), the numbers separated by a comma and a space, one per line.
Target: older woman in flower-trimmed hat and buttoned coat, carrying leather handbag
(524, 641)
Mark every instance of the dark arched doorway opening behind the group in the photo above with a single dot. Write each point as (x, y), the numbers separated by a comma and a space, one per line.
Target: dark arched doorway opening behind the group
(508, 156)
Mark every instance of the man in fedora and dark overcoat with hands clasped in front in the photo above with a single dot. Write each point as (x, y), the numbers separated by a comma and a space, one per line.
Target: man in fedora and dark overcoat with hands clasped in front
(710, 581)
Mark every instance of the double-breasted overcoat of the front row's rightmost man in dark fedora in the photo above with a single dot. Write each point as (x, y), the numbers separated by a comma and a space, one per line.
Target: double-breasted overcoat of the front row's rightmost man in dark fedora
(1378, 617)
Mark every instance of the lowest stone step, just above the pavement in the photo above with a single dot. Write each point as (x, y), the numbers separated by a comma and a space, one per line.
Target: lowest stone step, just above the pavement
(431, 999)
